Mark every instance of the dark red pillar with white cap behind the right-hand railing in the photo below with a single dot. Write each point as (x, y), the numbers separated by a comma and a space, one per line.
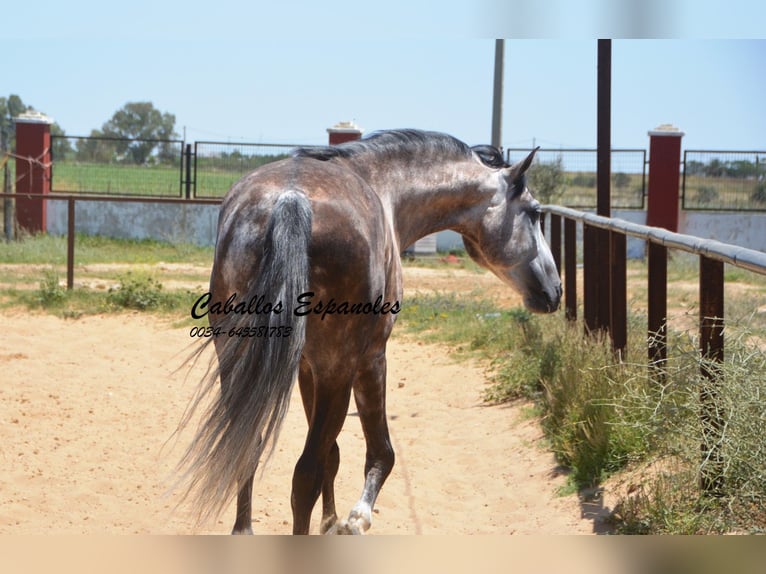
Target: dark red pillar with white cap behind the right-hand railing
(664, 176)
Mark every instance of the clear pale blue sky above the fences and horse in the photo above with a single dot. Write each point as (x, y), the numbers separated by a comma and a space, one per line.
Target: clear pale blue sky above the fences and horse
(241, 72)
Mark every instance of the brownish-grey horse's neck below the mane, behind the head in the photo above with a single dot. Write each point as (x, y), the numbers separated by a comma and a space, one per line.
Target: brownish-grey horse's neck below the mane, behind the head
(419, 204)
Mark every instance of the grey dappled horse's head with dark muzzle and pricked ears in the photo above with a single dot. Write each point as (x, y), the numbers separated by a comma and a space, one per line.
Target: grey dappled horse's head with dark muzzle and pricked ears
(509, 240)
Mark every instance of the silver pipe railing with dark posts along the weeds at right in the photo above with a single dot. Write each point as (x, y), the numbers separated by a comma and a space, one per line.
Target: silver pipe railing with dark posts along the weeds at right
(611, 287)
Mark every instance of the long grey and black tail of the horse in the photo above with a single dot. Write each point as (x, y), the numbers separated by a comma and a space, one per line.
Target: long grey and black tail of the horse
(257, 374)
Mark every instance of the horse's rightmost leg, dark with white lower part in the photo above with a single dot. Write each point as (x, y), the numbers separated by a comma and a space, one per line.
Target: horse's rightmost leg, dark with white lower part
(370, 397)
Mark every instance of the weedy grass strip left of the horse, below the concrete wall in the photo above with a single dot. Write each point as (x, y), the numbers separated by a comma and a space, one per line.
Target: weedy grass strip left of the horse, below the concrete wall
(133, 277)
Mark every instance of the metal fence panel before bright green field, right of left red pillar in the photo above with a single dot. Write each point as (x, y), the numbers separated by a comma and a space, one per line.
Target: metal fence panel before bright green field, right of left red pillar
(116, 166)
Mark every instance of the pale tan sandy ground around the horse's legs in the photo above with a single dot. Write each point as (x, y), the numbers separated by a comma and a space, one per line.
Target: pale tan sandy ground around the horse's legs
(88, 409)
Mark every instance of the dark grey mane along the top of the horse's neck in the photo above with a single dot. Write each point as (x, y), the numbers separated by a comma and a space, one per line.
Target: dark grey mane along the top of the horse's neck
(408, 141)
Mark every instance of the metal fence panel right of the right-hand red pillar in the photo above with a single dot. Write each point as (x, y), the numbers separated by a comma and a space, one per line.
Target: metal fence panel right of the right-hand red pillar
(724, 180)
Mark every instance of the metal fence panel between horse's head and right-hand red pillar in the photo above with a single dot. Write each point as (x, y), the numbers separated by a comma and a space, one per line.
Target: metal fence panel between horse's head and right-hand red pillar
(568, 176)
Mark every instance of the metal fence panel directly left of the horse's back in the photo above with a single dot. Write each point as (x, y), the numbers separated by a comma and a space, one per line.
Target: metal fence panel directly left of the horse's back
(217, 165)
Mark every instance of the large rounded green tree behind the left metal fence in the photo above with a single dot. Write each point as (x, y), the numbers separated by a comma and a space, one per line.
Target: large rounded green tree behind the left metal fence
(141, 122)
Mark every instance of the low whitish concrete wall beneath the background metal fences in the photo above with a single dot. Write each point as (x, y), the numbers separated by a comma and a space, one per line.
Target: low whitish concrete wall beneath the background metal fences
(197, 224)
